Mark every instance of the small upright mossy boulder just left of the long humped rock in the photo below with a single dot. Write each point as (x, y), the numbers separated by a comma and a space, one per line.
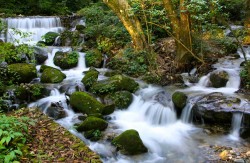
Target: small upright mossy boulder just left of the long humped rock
(90, 78)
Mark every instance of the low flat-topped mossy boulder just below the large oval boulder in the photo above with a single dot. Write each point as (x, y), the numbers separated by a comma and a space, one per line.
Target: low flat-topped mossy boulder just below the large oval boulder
(92, 123)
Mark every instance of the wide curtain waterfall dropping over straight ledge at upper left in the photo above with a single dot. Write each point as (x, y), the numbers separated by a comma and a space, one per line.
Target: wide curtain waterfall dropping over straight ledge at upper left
(36, 26)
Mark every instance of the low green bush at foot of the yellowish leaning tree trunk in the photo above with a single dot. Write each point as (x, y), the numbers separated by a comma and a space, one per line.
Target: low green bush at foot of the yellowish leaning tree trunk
(132, 62)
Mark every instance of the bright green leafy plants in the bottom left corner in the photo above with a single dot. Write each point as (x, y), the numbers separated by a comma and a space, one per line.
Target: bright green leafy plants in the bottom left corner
(13, 136)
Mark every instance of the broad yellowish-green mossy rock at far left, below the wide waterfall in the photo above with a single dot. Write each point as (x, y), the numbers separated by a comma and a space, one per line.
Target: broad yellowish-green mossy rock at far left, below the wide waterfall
(23, 72)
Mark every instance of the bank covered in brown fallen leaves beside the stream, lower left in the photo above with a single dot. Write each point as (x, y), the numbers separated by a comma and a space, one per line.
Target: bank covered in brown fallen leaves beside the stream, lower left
(50, 142)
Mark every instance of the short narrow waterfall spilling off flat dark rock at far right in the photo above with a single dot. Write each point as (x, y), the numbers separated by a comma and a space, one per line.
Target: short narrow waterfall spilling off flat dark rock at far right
(236, 125)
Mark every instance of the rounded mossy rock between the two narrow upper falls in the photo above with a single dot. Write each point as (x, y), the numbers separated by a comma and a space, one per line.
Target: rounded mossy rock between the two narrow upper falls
(66, 60)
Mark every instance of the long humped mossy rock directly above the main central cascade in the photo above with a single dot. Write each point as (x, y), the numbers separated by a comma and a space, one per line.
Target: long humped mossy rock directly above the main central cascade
(114, 84)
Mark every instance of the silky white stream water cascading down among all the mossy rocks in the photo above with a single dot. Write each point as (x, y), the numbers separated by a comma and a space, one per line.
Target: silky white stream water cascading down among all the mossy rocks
(168, 138)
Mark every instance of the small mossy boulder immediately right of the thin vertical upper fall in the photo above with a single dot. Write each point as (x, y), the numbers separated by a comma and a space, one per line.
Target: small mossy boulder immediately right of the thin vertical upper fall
(94, 58)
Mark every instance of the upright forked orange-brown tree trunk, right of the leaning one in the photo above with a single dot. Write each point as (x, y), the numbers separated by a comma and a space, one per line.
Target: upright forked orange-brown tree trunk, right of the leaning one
(181, 30)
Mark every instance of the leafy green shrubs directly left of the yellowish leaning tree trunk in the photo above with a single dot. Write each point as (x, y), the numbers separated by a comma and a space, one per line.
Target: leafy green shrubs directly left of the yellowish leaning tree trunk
(103, 28)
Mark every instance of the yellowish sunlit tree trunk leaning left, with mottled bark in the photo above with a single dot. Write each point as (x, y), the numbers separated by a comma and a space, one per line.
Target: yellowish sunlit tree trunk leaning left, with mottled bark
(122, 9)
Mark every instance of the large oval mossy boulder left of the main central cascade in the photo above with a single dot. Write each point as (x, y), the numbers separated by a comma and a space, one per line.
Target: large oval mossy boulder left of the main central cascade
(85, 103)
